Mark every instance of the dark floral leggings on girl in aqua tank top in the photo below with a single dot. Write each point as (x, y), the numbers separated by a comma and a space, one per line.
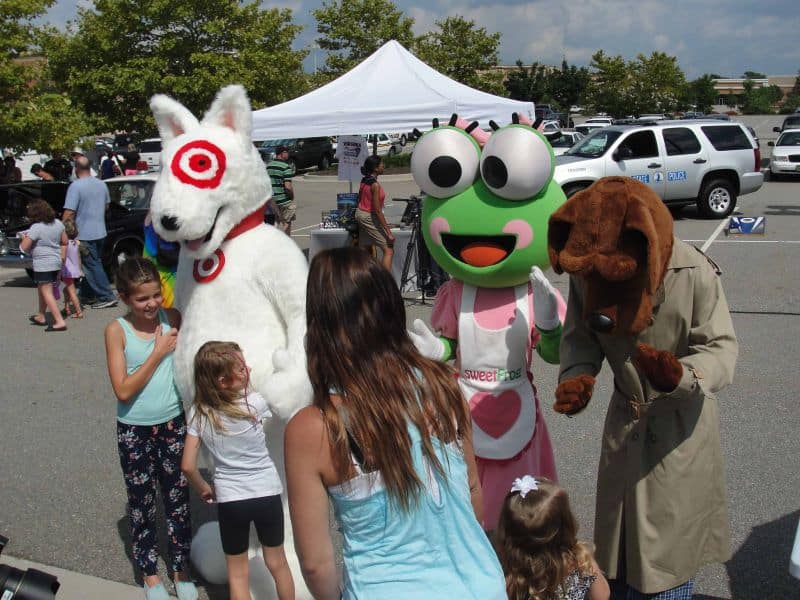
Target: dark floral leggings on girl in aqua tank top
(151, 454)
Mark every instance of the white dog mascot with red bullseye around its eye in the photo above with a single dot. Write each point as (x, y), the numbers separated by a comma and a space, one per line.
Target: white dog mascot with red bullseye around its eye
(238, 279)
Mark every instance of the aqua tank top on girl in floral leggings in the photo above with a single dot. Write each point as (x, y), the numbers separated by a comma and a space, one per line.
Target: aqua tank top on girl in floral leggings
(158, 401)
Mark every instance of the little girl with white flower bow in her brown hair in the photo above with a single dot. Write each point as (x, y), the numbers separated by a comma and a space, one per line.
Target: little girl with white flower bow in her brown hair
(537, 545)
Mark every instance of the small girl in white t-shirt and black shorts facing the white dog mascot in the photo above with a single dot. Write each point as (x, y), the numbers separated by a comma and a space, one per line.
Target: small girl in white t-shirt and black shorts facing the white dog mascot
(227, 420)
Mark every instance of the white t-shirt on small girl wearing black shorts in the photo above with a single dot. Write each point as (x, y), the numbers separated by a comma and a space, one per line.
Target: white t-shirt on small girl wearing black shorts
(244, 469)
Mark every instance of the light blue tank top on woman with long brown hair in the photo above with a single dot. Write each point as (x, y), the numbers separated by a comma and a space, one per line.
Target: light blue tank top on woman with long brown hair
(436, 550)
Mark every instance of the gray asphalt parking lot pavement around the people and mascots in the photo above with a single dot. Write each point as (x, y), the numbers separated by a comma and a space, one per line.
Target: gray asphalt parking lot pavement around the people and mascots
(62, 499)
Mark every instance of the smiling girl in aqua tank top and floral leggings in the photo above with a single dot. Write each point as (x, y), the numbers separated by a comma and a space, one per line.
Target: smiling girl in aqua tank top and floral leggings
(150, 425)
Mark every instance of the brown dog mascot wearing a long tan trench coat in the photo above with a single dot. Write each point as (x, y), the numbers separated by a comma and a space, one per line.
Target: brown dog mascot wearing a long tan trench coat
(654, 308)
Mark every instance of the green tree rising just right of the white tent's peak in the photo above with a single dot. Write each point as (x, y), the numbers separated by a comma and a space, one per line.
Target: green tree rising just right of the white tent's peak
(463, 52)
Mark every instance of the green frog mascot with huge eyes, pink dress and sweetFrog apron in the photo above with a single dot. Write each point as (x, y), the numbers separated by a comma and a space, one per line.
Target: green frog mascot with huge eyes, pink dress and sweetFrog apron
(487, 202)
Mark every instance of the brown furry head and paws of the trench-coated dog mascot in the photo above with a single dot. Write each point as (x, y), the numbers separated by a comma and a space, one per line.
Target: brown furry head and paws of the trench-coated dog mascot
(616, 238)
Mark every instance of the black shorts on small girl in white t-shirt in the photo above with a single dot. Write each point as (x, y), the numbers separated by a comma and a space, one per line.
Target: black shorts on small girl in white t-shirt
(235, 518)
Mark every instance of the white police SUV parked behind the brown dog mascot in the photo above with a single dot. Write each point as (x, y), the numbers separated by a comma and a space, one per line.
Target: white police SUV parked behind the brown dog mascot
(709, 162)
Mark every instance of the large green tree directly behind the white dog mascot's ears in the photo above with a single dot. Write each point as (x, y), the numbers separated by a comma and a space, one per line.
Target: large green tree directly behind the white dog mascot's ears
(124, 51)
